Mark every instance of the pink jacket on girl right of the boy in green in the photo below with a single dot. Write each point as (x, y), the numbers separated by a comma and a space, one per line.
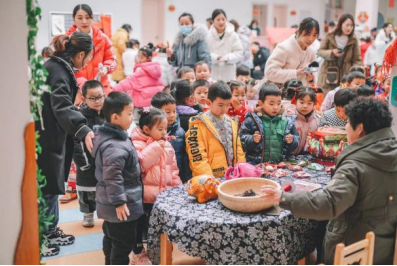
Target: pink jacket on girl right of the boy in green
(304, 126)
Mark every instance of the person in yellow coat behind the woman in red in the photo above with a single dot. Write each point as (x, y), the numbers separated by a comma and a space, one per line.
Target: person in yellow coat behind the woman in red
(120, 40)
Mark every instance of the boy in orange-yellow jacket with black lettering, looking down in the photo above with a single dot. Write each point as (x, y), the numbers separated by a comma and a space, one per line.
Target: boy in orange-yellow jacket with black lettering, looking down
(212, 142)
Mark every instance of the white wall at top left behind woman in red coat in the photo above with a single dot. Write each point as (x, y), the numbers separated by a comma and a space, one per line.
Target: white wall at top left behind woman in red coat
(123, 11)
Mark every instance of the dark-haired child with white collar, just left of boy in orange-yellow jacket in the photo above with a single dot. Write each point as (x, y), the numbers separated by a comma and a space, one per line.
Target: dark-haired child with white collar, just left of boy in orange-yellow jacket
(185, 102)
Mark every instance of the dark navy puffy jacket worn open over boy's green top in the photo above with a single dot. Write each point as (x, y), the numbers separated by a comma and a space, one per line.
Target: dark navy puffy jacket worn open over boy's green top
(255, 153)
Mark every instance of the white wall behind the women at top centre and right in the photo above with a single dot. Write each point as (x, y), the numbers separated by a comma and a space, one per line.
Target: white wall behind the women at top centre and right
(240, 10)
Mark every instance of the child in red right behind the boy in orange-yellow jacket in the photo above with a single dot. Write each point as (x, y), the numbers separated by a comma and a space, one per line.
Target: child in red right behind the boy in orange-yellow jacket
(238, 109)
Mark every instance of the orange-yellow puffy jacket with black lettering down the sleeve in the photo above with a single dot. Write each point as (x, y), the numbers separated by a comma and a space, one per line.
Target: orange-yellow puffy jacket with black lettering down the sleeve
(205, 149)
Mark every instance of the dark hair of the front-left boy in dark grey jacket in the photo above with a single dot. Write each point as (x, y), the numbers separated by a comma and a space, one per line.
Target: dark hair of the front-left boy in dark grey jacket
(115, 104)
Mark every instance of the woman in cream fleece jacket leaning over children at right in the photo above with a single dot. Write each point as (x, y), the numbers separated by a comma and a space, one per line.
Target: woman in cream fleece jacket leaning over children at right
(291, 58)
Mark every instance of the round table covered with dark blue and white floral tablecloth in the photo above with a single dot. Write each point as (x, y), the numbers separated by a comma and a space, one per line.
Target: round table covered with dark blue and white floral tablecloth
(221, 237)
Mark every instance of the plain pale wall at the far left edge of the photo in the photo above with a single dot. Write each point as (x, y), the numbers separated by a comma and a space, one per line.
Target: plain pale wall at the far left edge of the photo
(15, 115)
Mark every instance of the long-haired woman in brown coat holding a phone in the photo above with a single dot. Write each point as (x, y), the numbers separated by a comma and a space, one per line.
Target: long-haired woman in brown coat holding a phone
(341, 51)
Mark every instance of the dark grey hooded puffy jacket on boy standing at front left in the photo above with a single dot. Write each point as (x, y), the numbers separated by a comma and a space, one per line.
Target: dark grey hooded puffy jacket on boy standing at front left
(118, 173)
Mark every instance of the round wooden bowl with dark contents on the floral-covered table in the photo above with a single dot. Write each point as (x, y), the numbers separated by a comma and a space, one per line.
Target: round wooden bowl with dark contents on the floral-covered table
(229, 189)
